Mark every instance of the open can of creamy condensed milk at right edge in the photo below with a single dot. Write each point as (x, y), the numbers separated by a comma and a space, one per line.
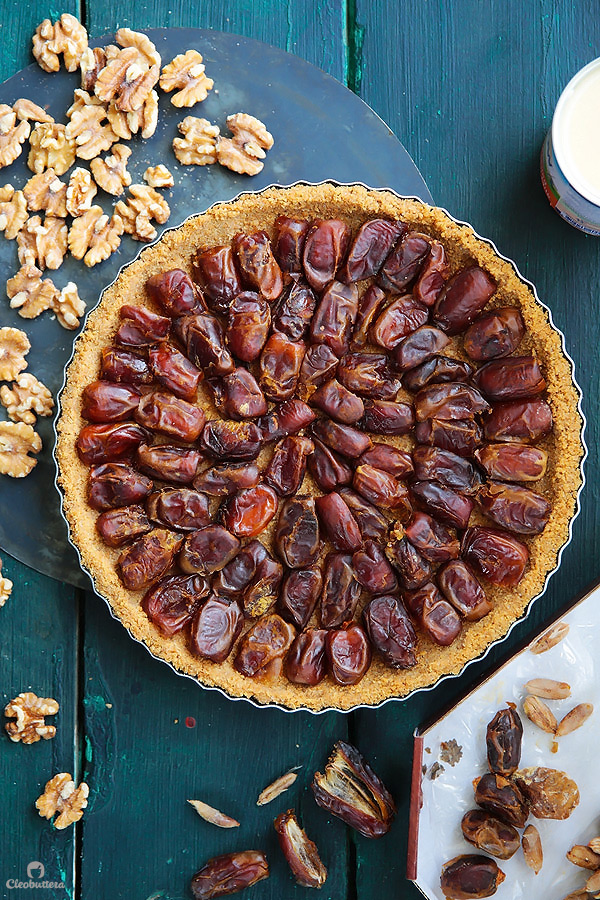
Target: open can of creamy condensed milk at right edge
(570, 158)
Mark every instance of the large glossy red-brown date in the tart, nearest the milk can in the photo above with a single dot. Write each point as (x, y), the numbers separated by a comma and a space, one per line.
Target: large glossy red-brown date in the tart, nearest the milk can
(462, 299)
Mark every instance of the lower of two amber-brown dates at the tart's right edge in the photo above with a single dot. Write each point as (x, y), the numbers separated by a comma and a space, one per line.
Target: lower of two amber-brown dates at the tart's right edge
(514, 507)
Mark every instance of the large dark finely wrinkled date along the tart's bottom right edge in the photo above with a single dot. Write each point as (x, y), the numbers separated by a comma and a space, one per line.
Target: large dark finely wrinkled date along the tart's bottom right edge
(391, 631)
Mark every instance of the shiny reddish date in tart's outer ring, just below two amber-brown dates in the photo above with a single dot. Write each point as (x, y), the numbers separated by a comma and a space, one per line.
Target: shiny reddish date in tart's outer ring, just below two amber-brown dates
(495, 554)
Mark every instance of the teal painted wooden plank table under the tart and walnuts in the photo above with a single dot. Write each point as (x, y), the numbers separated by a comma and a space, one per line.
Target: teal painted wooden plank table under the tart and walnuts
(469, 87)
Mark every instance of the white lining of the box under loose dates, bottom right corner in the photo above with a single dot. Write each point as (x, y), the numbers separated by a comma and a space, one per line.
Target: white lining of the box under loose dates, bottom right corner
(576, 660)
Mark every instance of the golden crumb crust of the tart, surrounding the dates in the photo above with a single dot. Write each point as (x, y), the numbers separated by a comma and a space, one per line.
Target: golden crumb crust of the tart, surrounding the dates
(354, 204)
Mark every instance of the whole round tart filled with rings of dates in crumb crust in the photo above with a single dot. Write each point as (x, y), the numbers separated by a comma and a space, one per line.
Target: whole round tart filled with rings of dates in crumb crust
(319, 446)
